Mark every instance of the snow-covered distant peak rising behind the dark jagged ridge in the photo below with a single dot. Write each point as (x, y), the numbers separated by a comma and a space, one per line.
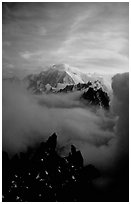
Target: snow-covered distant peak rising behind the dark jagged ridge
(58, 77)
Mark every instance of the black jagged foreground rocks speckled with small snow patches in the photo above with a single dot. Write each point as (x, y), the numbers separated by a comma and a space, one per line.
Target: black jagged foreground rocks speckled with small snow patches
(42, 175)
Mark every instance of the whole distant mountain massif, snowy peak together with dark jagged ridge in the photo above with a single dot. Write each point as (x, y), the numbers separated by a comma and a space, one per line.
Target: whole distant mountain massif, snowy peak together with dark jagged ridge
(62, 78)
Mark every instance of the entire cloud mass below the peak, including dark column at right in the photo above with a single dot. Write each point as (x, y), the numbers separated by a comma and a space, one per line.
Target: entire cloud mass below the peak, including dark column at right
(101, 136)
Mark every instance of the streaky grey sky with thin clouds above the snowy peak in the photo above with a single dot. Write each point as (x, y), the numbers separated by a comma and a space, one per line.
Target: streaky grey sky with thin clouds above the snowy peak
(91, 36)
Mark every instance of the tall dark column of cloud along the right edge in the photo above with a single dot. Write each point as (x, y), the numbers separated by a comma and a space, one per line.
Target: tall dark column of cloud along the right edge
(120, 106)
